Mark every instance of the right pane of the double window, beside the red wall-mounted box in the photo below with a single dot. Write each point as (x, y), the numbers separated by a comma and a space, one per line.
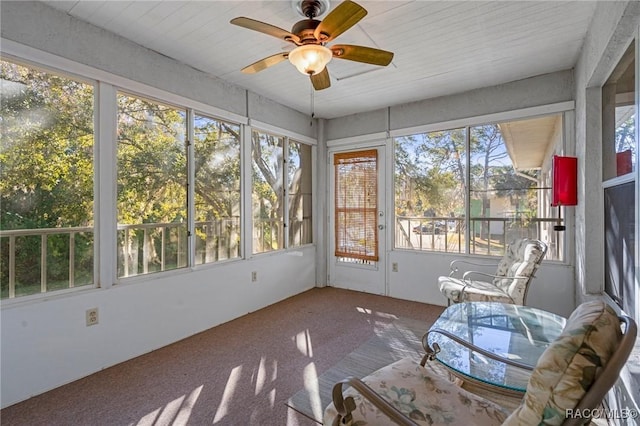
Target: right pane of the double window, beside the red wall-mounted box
(505, 180)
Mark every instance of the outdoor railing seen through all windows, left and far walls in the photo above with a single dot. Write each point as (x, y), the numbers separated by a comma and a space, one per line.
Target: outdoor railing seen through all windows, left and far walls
(42, 260)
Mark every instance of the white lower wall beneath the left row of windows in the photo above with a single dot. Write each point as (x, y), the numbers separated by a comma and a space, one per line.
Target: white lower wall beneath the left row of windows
(46, 344)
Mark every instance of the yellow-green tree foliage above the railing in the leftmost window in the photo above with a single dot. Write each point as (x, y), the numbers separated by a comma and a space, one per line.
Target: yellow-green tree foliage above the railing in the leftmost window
(46, 160)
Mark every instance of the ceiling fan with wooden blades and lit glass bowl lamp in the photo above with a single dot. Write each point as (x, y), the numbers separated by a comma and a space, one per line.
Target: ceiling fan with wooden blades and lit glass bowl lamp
(311, 55)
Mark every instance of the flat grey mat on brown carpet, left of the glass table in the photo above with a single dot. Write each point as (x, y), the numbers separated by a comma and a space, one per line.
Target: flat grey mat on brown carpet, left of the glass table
(400, 339)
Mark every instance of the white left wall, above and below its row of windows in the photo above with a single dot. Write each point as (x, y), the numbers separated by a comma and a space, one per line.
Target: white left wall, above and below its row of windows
(45, 342)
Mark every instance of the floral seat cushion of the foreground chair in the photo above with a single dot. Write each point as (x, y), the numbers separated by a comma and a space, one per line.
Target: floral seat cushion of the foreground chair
(422, 394)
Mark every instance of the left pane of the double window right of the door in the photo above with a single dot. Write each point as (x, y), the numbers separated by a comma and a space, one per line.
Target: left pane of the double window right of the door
(430, 175)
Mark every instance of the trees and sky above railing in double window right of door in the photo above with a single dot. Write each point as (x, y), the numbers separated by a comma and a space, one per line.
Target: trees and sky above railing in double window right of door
(430, 173)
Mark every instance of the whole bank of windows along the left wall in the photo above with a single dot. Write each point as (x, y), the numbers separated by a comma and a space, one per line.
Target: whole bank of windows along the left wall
(178, 202)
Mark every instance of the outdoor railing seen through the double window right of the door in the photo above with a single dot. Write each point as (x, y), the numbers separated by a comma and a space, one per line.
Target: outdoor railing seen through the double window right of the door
(487, 235)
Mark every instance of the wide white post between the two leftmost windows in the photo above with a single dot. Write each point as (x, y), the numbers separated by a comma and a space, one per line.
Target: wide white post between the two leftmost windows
(105, 184)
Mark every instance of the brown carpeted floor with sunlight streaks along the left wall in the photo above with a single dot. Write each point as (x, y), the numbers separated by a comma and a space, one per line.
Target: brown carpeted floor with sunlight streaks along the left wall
(243, 372)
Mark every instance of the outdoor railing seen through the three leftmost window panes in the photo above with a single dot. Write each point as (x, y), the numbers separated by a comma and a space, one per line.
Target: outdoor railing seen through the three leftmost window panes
(41, 260)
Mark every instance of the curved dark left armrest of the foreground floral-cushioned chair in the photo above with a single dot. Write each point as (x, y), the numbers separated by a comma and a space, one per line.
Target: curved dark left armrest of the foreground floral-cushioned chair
(345, 406)
